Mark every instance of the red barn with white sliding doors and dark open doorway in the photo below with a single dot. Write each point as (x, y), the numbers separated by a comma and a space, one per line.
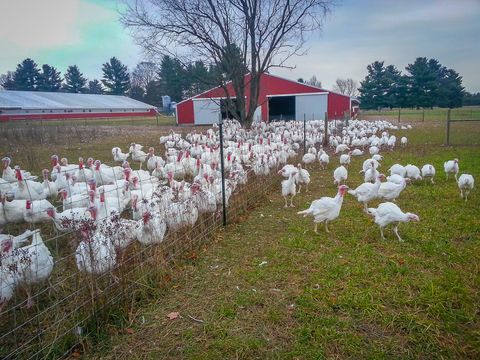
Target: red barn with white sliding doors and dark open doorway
(279, 98)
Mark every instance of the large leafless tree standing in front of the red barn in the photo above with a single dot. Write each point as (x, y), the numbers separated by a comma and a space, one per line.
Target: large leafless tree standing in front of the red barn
(267, 33)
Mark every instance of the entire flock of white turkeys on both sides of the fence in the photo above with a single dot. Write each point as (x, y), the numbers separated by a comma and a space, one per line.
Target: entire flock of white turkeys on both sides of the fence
(110, 207)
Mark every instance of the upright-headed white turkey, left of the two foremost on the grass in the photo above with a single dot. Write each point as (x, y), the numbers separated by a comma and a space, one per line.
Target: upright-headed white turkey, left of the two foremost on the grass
(325, 209)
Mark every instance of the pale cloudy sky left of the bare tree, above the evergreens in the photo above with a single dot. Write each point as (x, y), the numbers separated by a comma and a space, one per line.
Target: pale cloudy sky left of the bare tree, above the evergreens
(63, 33)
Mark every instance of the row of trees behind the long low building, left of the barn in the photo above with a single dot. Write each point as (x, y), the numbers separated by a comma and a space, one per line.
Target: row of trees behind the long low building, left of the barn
(147, 82)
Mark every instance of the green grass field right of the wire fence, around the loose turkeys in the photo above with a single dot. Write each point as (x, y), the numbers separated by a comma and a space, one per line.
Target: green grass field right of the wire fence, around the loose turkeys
(269, 288)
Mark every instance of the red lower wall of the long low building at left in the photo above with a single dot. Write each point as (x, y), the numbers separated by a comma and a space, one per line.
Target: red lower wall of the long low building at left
(75, 116)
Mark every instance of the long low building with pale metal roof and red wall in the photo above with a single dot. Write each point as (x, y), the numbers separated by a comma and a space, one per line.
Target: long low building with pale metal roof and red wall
(36, 105)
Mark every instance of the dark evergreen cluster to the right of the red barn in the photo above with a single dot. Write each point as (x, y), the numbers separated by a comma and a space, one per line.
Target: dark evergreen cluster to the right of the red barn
(426, 83)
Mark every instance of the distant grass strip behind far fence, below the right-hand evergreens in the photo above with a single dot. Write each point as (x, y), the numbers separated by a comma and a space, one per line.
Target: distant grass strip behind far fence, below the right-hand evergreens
(435, 114)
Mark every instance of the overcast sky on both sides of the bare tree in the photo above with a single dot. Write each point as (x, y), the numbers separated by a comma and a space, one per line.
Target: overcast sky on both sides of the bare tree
(87, 33)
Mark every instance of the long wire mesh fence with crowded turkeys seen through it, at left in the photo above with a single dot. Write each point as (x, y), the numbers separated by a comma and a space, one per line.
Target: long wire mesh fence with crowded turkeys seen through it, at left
(69, 267)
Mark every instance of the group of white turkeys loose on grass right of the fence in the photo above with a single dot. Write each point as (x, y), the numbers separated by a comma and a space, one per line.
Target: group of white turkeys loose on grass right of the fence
(375, 186)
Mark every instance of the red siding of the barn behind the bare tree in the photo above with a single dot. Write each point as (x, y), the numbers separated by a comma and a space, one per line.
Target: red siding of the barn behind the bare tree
(269, 85)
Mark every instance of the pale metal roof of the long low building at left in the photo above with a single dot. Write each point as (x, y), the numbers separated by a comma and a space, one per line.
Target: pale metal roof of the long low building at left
(10, 99)
